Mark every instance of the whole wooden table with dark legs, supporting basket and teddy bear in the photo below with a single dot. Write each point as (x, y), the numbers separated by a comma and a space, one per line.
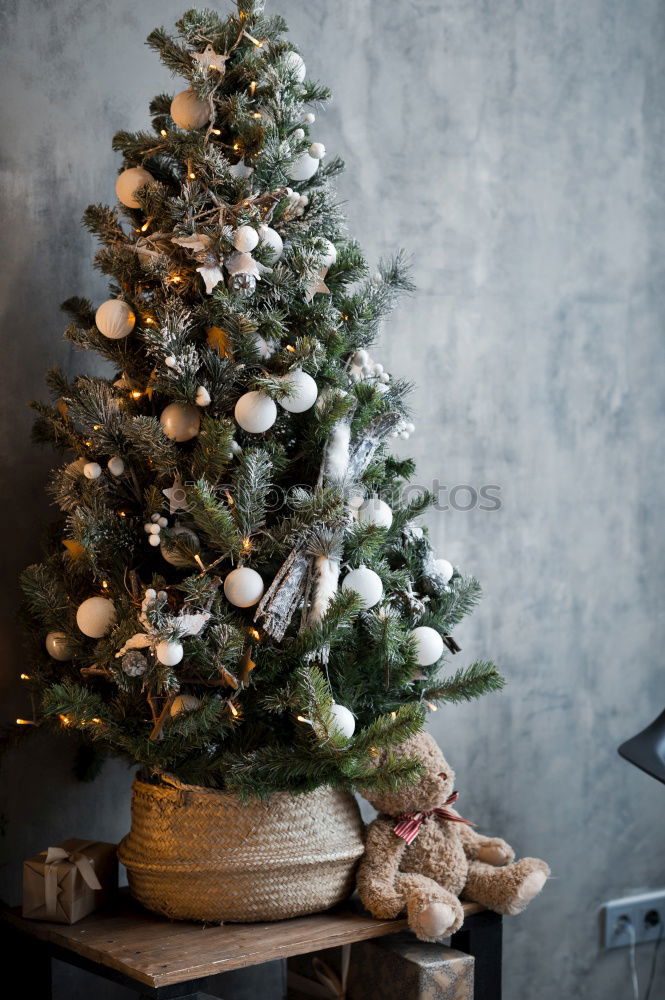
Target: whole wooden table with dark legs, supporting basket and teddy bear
(159, 958)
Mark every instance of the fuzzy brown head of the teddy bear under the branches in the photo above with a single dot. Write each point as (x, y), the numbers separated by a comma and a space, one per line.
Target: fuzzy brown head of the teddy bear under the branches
(434, 787)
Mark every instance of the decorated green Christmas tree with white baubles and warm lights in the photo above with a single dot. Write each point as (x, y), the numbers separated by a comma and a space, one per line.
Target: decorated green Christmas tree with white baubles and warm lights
(236, 591)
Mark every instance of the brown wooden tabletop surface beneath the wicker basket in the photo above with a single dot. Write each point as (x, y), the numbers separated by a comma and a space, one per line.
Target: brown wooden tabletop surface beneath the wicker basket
(158, 952)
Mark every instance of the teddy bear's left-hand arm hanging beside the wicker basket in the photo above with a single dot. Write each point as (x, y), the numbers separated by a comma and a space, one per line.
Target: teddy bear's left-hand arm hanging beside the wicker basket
(378, 873)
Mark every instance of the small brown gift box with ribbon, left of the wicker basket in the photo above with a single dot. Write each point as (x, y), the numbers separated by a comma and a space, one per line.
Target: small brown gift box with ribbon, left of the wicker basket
(66, 882)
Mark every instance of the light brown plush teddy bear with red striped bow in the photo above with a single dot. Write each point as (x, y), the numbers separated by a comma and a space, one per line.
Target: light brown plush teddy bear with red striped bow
(421, 855)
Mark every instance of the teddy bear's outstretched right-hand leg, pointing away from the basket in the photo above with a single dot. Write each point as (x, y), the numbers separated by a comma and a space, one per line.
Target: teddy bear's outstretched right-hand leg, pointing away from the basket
(508, 889)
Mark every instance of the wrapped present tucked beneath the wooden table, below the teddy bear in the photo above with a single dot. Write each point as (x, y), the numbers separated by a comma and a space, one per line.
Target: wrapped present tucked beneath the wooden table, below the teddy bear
(398, 967)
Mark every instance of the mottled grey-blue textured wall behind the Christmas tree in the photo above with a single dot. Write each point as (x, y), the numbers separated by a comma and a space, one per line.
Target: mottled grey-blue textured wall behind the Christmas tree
(517, 151)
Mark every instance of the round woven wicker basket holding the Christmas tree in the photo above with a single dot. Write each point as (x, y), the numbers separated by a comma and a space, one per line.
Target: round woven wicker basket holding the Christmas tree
(199, 854)
